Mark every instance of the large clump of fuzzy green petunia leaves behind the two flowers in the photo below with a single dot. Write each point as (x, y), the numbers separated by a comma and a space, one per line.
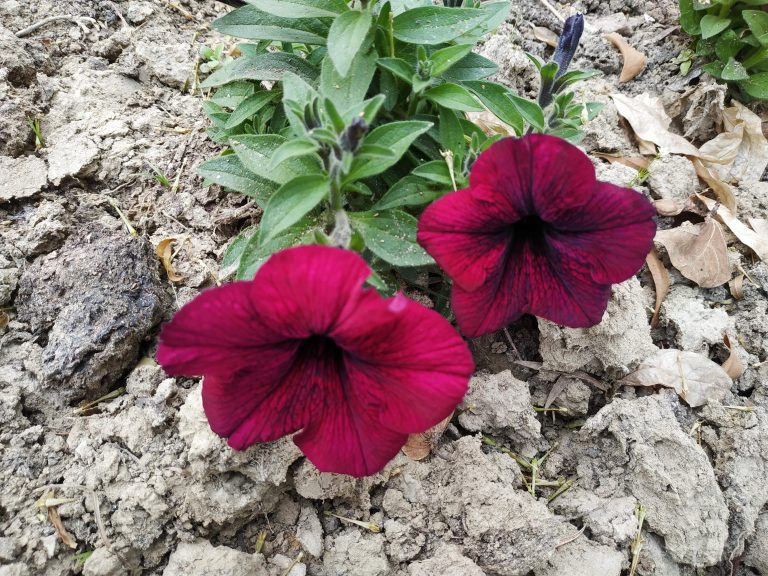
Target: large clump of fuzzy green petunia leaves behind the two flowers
(344, 121)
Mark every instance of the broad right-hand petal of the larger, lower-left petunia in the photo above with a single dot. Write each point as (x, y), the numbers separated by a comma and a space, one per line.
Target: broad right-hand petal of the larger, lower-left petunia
(408, 366)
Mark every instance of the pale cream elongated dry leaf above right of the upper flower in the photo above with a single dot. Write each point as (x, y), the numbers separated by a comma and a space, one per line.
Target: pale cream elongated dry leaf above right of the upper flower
(650, 122)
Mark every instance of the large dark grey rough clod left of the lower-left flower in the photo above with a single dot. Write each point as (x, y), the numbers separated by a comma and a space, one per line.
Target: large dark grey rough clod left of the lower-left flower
(99, 297)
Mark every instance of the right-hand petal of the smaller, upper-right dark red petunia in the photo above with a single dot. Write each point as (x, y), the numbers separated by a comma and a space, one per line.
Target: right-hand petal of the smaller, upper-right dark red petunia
(612, 233)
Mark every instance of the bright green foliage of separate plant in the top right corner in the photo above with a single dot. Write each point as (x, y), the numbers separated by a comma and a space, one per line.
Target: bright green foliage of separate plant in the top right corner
(731, 39)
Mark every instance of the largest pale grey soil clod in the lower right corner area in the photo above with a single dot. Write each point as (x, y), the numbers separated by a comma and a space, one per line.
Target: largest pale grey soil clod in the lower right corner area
(643, 452)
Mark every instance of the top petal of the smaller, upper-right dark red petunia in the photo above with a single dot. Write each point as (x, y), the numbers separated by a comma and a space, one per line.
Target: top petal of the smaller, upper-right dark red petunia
(537, 174)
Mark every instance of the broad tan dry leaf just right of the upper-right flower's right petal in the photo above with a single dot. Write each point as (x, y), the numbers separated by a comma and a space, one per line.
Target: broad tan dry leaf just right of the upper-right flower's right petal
(699, 252)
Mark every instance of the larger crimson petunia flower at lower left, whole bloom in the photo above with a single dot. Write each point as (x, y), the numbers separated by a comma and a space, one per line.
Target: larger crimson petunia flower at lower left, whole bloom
(304, 346)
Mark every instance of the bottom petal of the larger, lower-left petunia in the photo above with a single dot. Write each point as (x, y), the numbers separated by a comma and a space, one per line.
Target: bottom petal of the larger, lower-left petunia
(348, 441)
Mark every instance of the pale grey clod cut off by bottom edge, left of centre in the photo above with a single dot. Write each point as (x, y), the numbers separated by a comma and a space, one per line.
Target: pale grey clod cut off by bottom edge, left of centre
(200, 558)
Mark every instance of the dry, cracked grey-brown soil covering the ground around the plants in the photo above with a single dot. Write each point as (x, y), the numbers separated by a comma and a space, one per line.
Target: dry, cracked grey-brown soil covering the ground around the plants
(138, 480)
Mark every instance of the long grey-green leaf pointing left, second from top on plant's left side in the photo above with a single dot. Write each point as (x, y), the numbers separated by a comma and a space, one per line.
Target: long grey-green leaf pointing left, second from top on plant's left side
(267, 66)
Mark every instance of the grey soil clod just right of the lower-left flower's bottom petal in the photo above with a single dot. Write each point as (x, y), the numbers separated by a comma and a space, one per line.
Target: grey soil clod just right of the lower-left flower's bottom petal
(501, 404)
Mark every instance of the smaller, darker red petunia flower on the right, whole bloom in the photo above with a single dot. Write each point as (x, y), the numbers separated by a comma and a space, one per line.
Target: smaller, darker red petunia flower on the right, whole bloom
(536, 233)
